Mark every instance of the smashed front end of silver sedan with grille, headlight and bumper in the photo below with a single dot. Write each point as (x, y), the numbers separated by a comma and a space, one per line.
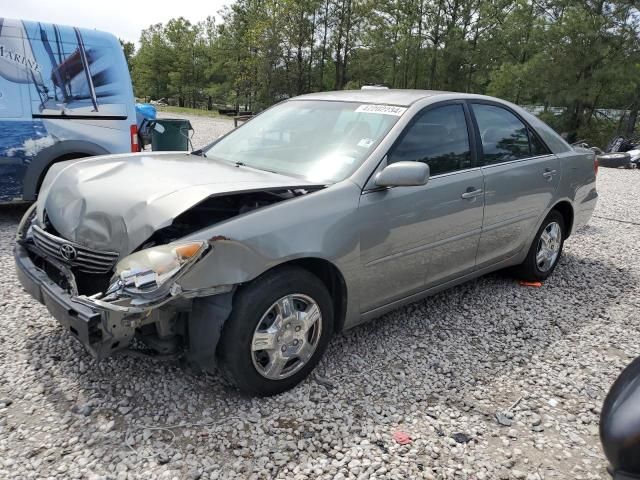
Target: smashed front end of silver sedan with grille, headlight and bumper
(143, 297)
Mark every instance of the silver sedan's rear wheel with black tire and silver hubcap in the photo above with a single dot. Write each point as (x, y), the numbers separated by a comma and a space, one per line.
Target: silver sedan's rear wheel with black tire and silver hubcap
(545, 251)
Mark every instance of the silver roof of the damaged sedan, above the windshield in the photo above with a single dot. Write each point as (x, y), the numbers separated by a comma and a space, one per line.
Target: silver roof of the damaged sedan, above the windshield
(399, 97)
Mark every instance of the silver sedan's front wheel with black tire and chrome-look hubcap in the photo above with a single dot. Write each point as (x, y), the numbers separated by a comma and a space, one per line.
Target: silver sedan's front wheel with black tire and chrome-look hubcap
(279, 327)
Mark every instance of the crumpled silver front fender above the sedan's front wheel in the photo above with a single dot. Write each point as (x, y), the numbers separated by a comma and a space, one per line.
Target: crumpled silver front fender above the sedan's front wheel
(322, 225)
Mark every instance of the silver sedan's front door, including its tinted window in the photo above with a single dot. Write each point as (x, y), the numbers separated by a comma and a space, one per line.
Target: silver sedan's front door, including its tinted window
(414, 237)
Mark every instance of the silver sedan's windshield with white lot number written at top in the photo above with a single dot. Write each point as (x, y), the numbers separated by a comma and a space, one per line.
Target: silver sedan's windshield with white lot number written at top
(321, 141)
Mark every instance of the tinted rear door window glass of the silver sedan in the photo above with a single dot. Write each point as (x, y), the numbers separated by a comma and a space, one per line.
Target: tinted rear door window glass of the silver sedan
(504, 136)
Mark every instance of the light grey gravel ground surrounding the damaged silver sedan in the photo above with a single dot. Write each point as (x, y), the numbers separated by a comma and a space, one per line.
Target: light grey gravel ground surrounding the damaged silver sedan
(490, 380)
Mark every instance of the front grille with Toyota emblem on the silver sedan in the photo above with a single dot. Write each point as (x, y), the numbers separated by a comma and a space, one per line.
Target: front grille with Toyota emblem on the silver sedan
(81, 258)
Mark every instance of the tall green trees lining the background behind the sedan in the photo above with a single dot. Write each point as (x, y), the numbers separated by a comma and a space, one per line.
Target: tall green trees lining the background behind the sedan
(581, 55)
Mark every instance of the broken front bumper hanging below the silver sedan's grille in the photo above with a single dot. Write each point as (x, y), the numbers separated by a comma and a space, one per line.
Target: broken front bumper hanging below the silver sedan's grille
(100, 330)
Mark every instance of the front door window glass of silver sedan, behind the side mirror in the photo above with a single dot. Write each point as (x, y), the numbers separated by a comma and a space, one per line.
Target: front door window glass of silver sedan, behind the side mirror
(438, 137)
